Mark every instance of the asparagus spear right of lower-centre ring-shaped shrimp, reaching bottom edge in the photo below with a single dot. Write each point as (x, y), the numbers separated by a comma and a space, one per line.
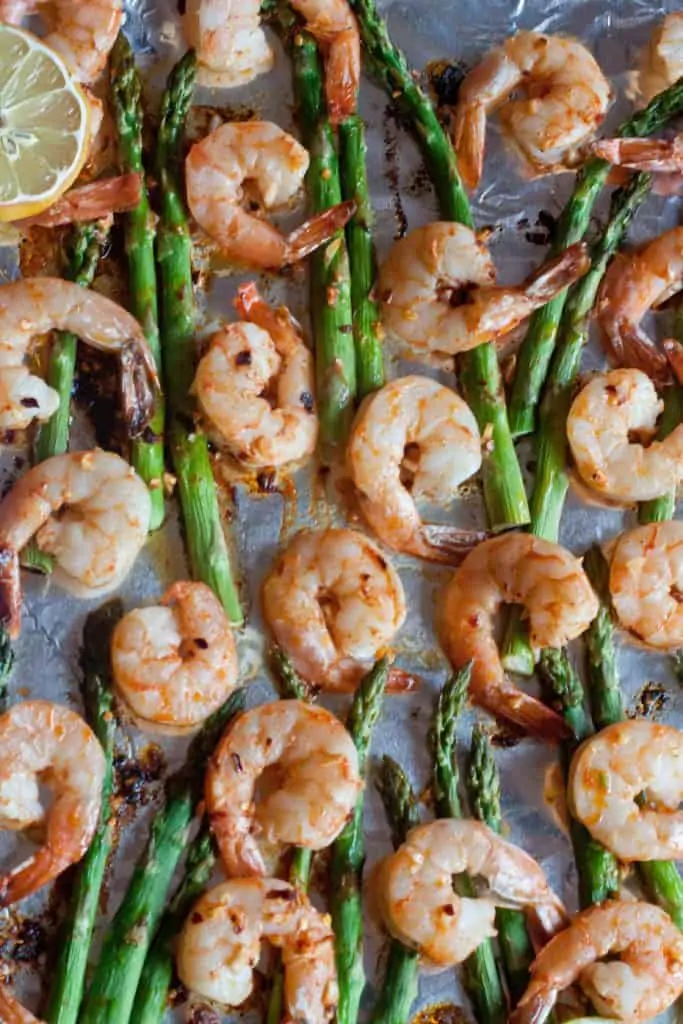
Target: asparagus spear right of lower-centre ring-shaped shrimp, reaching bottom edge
(349, 855)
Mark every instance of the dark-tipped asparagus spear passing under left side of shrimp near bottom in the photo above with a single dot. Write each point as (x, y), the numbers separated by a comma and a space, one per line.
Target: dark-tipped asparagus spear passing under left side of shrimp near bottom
(401, 977)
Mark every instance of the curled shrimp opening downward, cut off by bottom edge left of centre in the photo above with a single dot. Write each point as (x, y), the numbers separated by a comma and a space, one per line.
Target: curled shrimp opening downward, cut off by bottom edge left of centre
(221, 946)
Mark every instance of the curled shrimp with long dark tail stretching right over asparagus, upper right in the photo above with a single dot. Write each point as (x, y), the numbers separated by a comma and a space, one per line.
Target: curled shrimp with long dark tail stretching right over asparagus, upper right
(439, 292)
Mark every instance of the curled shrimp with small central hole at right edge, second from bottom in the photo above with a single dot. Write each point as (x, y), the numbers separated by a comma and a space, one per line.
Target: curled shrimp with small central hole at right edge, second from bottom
(609, 774)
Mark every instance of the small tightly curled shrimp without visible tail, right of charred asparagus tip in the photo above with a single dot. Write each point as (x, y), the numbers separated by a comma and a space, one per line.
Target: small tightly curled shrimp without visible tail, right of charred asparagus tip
(177, 663)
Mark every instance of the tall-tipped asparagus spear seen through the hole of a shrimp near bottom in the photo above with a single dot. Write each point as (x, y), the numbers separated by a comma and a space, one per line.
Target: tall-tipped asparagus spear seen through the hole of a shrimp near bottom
(481, 973)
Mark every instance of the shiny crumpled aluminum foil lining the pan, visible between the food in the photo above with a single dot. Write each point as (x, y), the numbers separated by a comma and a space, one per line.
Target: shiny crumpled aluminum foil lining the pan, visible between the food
(518, 210)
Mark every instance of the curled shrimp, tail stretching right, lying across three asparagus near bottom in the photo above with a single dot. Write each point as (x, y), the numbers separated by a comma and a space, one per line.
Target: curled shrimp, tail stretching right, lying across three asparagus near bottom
(417, 899)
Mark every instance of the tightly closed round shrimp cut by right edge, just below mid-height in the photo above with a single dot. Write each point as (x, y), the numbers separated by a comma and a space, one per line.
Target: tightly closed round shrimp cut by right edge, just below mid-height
(647, 583)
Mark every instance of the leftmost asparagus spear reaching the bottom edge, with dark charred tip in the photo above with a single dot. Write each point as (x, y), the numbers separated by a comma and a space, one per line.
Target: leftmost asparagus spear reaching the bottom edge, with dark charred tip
(69, 980)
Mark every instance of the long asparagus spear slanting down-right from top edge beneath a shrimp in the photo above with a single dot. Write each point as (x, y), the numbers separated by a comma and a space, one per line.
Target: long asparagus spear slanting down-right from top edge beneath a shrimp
(505, 497)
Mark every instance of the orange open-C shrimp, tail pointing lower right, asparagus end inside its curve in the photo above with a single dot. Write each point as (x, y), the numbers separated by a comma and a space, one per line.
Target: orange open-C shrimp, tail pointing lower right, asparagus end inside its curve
(515, 569)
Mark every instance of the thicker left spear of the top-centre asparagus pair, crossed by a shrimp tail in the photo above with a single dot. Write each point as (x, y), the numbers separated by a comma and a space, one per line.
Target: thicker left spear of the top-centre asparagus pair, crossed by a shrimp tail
(330, 278)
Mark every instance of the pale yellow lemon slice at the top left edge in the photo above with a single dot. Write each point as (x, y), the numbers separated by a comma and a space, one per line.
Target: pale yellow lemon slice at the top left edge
(45, 125)
